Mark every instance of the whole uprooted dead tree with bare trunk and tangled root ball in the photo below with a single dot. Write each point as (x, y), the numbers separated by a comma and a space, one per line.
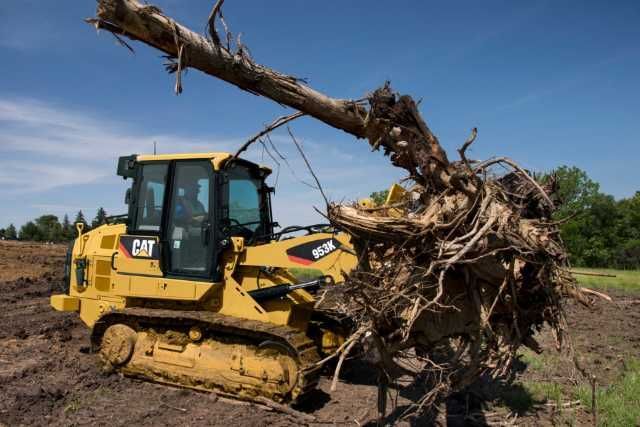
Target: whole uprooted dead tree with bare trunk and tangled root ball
(455, 276)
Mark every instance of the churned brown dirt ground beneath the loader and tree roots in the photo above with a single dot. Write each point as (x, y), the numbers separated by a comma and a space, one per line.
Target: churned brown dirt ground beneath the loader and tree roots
(48, 377)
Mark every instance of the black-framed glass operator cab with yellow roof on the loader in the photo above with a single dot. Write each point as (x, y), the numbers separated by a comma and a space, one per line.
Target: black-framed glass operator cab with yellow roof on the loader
(192, 205)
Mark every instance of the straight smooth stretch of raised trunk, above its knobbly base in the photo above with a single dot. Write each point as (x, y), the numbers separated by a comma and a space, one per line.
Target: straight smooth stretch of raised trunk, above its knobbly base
(147, 24)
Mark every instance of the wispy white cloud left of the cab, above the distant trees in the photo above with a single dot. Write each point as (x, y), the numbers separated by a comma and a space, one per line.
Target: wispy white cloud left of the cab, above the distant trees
(68, 147)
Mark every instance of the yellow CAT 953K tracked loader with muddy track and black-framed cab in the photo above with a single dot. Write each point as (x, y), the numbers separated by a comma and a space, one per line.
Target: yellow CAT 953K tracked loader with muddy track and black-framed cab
(195, 288)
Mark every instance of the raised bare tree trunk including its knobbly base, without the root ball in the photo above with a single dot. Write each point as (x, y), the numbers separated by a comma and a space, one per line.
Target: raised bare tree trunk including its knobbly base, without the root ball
(390, 122)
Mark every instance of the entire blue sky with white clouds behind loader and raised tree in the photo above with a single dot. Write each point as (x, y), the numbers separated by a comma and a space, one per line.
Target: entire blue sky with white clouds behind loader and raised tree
(546, 83)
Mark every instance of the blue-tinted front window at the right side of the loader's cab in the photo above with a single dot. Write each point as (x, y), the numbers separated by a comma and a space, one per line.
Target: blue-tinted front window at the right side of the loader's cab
(244, 199)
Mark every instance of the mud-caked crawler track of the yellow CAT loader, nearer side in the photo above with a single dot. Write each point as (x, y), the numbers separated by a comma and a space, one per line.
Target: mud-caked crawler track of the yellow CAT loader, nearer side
(224, 332)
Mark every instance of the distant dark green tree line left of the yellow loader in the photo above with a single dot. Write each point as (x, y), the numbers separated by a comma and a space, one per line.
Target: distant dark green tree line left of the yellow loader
(48, 228)
